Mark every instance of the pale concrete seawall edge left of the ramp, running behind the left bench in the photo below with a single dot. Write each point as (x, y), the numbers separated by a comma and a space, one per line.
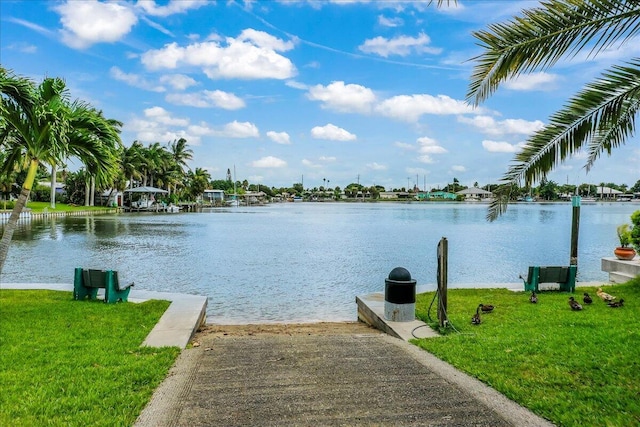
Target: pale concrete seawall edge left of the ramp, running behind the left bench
(176, 327)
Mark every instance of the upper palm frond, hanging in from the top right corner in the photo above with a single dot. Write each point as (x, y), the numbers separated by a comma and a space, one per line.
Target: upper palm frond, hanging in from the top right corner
(539, 38)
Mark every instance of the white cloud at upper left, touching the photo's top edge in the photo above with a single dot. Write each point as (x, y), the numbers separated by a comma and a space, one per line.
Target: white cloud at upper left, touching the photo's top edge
(88, 22)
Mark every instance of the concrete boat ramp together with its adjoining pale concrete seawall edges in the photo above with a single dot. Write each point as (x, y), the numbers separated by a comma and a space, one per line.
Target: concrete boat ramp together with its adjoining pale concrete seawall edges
(348, 374)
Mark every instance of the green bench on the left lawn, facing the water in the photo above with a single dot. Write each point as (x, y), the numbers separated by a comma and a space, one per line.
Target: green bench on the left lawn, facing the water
(87, 282)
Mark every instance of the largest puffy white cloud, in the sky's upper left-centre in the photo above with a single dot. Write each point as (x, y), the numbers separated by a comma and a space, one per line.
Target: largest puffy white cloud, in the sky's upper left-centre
(253, 55)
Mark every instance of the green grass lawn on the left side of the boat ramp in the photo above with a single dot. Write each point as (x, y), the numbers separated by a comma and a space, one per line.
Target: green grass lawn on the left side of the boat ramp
(76, 363)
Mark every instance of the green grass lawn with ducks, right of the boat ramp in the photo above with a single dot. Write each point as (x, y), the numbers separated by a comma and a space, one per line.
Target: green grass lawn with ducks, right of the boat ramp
(574, 368)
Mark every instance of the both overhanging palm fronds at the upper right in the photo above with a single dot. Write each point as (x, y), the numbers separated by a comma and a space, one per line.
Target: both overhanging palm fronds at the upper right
(600, 117)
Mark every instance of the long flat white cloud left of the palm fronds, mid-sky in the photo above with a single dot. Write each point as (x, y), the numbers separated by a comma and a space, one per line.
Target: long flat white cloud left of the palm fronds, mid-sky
(409, 108)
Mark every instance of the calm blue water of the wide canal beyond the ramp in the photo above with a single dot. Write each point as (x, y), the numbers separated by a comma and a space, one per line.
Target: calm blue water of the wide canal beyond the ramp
(298, 262)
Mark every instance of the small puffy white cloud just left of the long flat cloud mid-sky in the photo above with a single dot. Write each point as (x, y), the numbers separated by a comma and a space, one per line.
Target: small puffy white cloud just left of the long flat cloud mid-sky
(343, 98)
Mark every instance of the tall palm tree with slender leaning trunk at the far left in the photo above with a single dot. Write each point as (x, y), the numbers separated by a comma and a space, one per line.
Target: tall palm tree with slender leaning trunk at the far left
(38, 124)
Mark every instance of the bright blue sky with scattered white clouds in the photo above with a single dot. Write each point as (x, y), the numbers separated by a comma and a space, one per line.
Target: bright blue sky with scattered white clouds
(326, 93)
